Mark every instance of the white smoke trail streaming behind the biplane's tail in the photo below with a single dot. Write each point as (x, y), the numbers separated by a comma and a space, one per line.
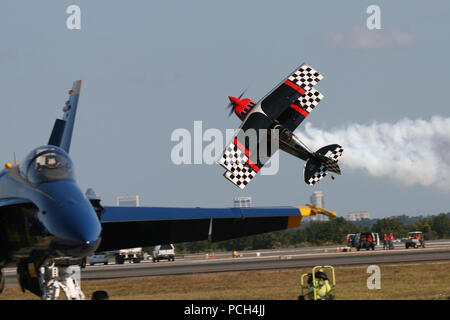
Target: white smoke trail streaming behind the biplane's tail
(409, 151)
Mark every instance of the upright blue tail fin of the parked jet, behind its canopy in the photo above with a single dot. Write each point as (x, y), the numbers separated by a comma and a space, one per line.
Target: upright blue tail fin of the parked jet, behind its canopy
(62, 130)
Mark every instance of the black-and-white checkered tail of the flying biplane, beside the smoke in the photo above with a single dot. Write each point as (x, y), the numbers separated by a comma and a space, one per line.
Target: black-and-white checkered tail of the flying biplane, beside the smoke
(323, 160)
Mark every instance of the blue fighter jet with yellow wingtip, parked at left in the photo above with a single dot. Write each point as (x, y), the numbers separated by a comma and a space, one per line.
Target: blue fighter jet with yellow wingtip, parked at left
(48, 225)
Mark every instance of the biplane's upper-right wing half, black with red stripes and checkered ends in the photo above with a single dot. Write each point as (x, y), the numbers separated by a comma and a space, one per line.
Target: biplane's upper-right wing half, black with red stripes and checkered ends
(294, 93)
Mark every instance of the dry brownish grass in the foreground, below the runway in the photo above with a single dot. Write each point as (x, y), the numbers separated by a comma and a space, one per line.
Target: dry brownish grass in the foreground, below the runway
(405, 282)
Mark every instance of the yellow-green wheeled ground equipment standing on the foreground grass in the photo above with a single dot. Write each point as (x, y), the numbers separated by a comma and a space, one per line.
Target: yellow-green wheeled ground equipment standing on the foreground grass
(318, 286)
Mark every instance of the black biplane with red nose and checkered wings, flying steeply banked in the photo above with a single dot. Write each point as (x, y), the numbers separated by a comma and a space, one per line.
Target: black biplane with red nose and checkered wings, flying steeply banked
(269, 125)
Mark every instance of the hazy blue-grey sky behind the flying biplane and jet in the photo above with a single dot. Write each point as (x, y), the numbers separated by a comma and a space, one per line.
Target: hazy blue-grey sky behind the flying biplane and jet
(151, 67)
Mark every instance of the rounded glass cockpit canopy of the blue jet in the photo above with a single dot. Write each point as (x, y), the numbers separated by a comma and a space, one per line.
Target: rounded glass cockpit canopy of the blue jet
(47, 163)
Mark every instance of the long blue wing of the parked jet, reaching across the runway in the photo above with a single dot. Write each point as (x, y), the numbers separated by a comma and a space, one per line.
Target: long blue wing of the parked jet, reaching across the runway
(129, 227)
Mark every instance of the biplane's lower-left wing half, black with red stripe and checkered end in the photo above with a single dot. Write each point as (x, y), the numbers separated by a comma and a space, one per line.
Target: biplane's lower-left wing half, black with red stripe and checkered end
(245, 155)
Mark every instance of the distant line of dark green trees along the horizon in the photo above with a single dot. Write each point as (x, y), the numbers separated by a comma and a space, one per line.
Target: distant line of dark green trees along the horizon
(333, 231)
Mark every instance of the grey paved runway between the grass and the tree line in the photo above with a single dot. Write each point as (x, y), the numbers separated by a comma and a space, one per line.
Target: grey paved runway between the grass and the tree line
(263, 260)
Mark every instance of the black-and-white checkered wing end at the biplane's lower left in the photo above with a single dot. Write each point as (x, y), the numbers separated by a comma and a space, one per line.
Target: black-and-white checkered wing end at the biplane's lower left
(235, 161)
